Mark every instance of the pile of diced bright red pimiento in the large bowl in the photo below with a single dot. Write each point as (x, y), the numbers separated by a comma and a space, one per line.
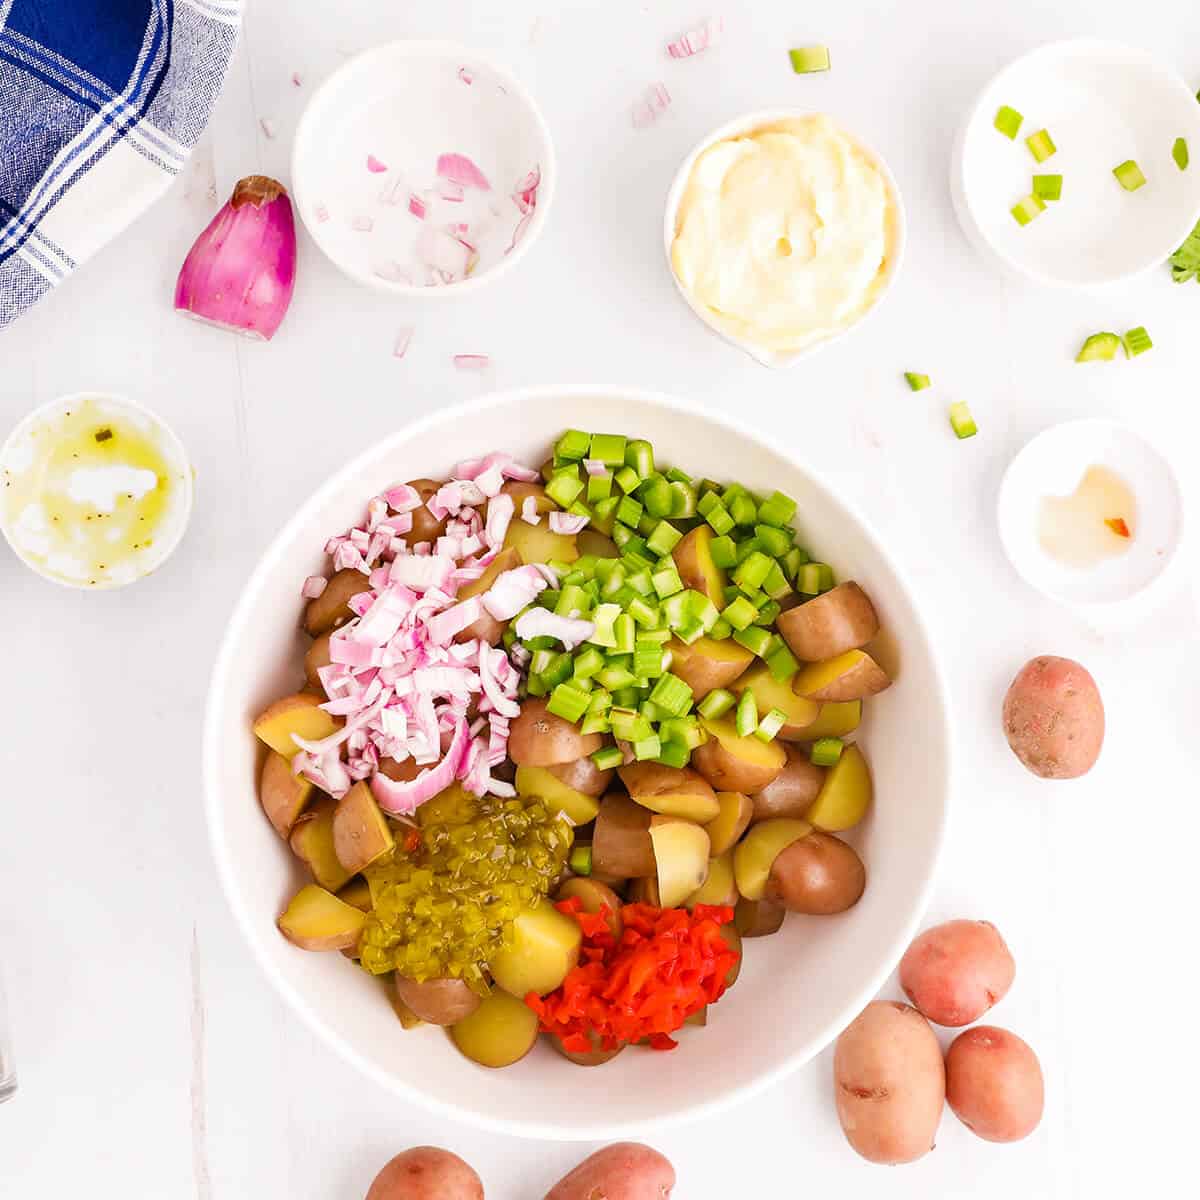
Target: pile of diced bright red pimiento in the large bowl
(668, 964)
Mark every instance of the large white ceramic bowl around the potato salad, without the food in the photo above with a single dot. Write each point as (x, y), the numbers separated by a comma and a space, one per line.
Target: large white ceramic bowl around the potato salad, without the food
(797, 991)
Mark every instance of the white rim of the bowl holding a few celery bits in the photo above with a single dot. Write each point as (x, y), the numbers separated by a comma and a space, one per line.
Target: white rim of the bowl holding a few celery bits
(962, 197)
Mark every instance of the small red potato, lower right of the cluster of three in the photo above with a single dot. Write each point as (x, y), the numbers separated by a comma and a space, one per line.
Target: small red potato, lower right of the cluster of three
(994, 1084)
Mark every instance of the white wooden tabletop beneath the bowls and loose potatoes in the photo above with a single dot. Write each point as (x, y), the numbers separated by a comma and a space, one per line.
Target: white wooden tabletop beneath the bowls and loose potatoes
(154, 1060)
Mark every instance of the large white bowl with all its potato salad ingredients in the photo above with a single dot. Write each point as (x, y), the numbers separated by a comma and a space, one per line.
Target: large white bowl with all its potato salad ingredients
(550, 652)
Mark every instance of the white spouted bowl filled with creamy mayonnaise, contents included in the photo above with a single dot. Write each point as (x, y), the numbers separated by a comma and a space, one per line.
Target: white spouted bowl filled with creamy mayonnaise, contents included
(783, 231)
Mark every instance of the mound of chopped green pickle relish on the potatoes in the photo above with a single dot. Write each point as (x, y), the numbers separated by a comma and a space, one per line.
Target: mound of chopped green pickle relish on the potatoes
(445, 899)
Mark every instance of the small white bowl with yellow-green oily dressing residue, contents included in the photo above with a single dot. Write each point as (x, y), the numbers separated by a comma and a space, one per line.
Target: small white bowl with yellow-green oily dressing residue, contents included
(95, 491)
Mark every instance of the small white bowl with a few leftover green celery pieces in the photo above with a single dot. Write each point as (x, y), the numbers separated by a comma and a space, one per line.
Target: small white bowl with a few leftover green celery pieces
(1103, 104)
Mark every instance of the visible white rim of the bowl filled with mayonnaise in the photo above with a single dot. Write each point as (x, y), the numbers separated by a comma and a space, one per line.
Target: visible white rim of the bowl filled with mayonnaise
(748, 124)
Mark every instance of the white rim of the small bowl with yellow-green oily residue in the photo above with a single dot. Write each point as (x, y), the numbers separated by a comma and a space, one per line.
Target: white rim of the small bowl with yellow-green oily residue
(16, 452)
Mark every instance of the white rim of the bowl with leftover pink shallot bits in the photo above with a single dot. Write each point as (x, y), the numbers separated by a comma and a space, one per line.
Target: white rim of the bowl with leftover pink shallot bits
(428, 50)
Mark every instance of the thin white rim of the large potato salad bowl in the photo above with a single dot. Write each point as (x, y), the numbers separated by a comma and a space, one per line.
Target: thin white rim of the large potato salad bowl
(611, 1131)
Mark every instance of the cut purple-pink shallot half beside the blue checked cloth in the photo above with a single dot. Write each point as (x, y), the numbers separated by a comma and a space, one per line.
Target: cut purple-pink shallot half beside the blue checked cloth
(242, 272)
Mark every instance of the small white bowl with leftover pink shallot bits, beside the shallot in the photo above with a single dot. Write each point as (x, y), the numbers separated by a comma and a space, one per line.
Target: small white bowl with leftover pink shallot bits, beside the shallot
(401, 106)
